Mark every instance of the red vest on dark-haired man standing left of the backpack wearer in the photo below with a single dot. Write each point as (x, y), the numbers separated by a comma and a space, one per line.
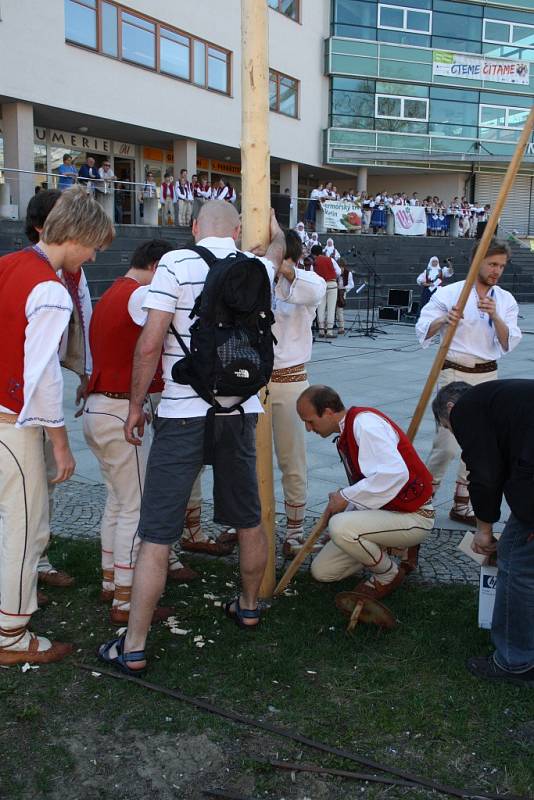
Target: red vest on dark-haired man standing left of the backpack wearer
(113, 336)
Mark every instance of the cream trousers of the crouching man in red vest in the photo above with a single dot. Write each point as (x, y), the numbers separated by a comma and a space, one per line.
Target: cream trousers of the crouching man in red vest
(359, 539)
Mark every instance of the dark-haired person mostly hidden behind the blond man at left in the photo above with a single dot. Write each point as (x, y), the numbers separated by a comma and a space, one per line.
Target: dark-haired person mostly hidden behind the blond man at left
(74, 354)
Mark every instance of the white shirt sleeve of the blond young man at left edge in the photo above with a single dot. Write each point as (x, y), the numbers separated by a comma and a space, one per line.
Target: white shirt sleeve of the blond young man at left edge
(48, 309)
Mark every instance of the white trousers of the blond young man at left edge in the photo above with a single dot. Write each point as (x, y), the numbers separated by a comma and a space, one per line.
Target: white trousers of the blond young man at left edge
(24, 524)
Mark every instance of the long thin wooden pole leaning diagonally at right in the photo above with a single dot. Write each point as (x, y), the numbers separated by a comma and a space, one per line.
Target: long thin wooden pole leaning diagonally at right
(472, 274)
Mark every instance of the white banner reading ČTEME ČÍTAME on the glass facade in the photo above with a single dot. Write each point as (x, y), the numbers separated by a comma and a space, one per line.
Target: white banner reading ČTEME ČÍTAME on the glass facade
(456, 65)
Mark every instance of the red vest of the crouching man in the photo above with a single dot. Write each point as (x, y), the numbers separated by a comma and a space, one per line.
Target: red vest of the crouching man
(418, 488)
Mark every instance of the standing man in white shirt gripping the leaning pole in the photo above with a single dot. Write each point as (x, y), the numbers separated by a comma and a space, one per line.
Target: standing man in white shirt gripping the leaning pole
(486, 330)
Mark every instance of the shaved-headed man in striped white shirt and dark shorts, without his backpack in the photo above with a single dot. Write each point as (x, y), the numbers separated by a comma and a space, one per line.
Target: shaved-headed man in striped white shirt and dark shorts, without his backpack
(176, 456)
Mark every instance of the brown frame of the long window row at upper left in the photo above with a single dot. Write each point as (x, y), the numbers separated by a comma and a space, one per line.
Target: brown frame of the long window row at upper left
(158, 26)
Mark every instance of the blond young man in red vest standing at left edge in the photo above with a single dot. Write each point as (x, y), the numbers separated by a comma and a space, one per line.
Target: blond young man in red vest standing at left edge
(35, 308)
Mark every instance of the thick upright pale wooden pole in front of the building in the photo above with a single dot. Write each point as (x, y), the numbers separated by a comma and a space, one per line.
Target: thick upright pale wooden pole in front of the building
(255, 205)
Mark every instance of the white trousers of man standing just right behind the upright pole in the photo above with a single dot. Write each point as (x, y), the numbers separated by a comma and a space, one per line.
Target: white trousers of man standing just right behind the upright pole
(290, 447)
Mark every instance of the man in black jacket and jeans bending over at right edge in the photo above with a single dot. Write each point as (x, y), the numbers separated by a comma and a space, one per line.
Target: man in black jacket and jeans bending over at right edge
(494, 425)
